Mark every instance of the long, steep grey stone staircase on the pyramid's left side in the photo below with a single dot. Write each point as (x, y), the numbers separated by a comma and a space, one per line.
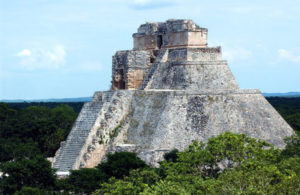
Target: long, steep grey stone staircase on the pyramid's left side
(70, 149)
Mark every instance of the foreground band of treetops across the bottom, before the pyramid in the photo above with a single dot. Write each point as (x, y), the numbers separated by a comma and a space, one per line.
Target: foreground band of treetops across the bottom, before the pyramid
(227, 164)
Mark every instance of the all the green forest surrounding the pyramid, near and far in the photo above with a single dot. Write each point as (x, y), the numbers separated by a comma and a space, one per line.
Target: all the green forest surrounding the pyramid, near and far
(227, 164)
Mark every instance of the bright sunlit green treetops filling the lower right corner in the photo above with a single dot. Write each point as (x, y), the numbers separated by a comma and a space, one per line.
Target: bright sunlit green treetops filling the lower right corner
(229, 164)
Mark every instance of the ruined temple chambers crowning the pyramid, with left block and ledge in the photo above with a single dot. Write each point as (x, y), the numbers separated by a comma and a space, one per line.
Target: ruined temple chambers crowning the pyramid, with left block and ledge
(131, 67)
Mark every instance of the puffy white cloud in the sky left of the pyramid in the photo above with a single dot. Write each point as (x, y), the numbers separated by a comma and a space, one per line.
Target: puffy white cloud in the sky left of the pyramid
(41, 58)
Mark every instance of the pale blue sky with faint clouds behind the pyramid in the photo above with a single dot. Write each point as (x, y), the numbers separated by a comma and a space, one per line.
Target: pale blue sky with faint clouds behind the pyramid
(63, 48)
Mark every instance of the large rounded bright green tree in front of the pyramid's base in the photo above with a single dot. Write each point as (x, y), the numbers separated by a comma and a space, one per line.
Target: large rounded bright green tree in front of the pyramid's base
(203, 167)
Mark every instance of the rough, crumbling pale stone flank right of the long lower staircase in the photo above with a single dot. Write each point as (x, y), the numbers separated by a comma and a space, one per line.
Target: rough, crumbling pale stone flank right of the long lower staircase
(106, 129)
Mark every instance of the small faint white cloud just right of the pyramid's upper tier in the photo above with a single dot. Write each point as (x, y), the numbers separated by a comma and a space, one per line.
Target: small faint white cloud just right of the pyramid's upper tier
(238, 53)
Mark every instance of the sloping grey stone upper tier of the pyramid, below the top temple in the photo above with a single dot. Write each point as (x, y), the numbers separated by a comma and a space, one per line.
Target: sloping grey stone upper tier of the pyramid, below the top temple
(193, 69)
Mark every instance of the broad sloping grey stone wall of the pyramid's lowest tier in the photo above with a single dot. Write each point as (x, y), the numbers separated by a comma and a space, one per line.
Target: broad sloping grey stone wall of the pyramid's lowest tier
(160, 121)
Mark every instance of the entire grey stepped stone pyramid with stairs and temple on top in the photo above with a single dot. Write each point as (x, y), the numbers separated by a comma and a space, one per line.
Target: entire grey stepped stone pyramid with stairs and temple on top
(169, 90)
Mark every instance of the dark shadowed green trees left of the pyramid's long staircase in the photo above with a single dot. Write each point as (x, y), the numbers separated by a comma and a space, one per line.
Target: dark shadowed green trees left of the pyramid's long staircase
(27, 136)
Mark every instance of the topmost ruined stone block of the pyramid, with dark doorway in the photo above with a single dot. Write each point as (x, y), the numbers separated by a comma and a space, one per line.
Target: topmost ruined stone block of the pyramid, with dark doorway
(173, 33)
